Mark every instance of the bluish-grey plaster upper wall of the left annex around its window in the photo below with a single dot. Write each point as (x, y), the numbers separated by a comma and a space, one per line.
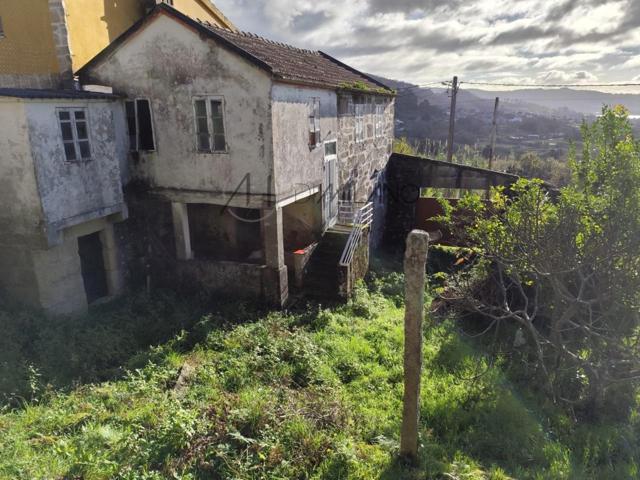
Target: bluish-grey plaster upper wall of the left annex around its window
(75, 192)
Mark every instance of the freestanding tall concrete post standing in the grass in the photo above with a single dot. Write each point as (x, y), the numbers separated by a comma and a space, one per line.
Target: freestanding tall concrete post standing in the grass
(414, 269)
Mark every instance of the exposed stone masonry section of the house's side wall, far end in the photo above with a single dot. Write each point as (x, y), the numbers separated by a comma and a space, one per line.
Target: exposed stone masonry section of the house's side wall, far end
(358, 160)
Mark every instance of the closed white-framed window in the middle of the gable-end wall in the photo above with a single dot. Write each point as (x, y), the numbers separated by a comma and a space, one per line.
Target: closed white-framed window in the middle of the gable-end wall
(210, 132)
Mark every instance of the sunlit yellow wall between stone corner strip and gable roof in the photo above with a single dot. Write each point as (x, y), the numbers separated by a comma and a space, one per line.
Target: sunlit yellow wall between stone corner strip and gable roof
(94, 24)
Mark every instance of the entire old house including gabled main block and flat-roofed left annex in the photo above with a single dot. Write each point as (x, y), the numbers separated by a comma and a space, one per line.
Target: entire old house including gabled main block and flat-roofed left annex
(246, 166)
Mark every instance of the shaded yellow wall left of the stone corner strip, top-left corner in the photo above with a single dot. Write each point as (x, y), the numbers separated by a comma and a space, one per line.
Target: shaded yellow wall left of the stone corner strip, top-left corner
(28, 46)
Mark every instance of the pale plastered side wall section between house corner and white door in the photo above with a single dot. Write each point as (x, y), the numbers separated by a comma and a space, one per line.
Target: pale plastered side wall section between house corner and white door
(297, 166)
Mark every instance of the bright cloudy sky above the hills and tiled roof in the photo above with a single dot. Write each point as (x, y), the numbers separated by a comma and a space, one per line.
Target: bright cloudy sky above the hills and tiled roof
(541, 41)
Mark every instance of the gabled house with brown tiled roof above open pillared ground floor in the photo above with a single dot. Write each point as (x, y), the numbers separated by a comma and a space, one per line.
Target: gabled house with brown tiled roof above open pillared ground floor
(268, 181)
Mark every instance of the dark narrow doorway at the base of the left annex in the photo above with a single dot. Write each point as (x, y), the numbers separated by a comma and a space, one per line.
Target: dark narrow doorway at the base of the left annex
(94, 273)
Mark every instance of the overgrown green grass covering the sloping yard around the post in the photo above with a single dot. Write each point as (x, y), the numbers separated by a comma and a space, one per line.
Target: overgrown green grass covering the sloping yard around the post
(312, 394)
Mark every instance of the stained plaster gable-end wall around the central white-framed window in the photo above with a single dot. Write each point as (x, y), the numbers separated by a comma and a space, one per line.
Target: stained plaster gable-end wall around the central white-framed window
(170, 64)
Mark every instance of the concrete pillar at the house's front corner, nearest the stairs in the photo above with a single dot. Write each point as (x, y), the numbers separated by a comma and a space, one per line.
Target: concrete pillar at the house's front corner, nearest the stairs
(276, 285)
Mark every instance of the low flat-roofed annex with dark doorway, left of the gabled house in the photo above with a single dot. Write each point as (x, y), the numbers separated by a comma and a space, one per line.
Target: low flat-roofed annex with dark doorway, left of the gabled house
(54, 207)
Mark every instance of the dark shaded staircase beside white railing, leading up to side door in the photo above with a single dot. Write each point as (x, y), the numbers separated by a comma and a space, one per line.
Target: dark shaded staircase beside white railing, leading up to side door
(321, 278)
